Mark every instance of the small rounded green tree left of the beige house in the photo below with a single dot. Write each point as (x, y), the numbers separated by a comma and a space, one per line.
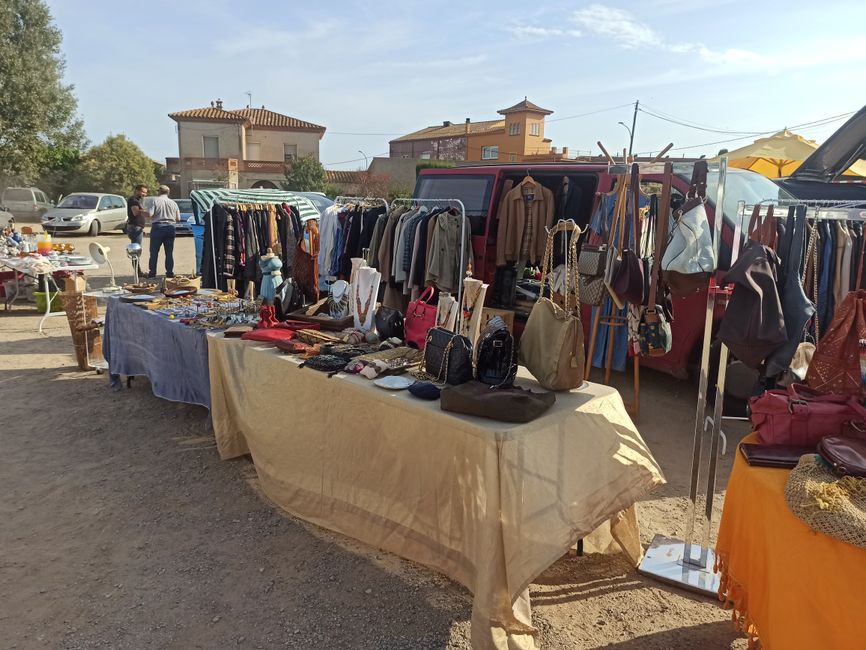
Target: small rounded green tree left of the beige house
(116, 166)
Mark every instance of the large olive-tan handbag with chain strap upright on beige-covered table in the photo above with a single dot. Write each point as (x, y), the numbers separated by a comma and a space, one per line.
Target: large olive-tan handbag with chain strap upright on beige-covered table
(551, 347)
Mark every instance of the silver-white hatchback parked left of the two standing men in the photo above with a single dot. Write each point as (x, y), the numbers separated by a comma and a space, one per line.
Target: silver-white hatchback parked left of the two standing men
(86, 212)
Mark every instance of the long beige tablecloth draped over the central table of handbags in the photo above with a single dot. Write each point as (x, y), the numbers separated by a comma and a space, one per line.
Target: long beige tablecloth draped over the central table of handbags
(490, 504)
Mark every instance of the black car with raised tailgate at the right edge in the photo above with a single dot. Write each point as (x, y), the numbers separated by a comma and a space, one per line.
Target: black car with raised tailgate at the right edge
(820, 177)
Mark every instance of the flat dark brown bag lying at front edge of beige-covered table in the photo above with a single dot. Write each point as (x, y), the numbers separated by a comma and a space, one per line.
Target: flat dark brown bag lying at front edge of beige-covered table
(503, 404)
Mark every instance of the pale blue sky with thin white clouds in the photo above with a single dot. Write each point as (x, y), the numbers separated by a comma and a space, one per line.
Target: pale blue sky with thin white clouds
(371, 70)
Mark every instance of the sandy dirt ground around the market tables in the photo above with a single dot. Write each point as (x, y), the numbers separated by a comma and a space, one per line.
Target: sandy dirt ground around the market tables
(123, 529)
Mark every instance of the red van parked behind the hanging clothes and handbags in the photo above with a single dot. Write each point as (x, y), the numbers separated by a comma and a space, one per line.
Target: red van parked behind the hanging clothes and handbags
(479, 187)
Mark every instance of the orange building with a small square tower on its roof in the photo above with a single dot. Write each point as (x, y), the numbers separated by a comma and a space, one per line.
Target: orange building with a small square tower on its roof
(517, 137)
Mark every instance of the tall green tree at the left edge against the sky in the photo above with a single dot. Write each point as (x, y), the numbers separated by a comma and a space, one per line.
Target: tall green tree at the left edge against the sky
(37, 110)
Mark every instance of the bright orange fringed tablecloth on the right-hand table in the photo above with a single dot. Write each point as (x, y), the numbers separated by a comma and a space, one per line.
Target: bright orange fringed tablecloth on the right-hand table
(788, 585)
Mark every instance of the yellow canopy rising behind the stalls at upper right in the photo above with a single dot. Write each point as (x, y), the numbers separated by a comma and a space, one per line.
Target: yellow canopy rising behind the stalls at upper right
(779, 155)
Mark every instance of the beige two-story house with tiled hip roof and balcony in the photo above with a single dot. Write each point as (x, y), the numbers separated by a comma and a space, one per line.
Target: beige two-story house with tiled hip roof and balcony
(243, 148)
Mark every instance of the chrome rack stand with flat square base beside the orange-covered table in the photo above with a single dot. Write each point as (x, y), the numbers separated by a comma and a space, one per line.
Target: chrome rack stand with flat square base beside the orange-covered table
(685, 563)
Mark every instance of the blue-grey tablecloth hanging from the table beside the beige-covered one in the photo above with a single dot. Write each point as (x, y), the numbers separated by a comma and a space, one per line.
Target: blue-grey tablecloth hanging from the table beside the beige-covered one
(173, 356)
